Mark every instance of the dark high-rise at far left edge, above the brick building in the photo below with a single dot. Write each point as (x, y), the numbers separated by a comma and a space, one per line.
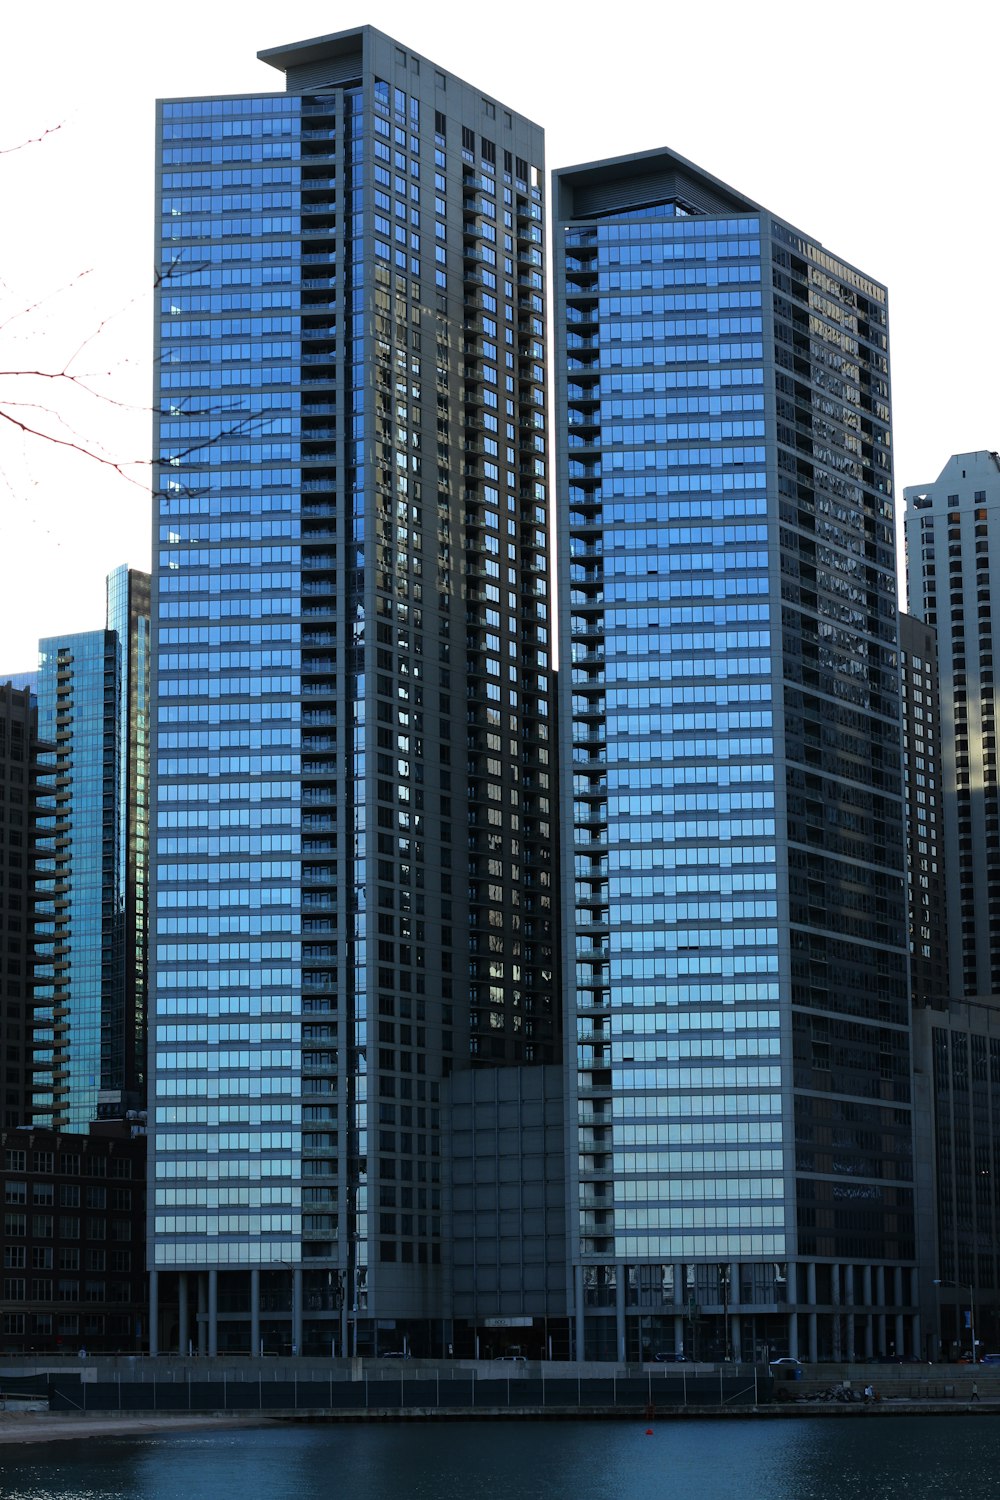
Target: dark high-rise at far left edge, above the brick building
(19, 880)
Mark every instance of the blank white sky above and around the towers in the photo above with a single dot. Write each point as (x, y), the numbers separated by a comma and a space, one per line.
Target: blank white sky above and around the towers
(873, 127)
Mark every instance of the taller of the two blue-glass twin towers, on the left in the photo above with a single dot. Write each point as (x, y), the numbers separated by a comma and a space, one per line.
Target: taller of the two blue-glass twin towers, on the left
(352, 631)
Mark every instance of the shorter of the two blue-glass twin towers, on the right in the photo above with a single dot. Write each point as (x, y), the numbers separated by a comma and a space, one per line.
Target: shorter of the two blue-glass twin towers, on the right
(734, 853)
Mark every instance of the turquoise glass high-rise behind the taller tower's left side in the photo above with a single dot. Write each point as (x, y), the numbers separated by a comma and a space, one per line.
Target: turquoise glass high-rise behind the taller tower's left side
(88, 1060)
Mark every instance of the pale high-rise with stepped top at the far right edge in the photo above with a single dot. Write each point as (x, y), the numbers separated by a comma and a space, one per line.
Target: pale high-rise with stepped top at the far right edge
(953, 545)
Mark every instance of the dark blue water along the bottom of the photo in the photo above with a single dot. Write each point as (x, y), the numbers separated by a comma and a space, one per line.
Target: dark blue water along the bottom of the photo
(789, 1459)
